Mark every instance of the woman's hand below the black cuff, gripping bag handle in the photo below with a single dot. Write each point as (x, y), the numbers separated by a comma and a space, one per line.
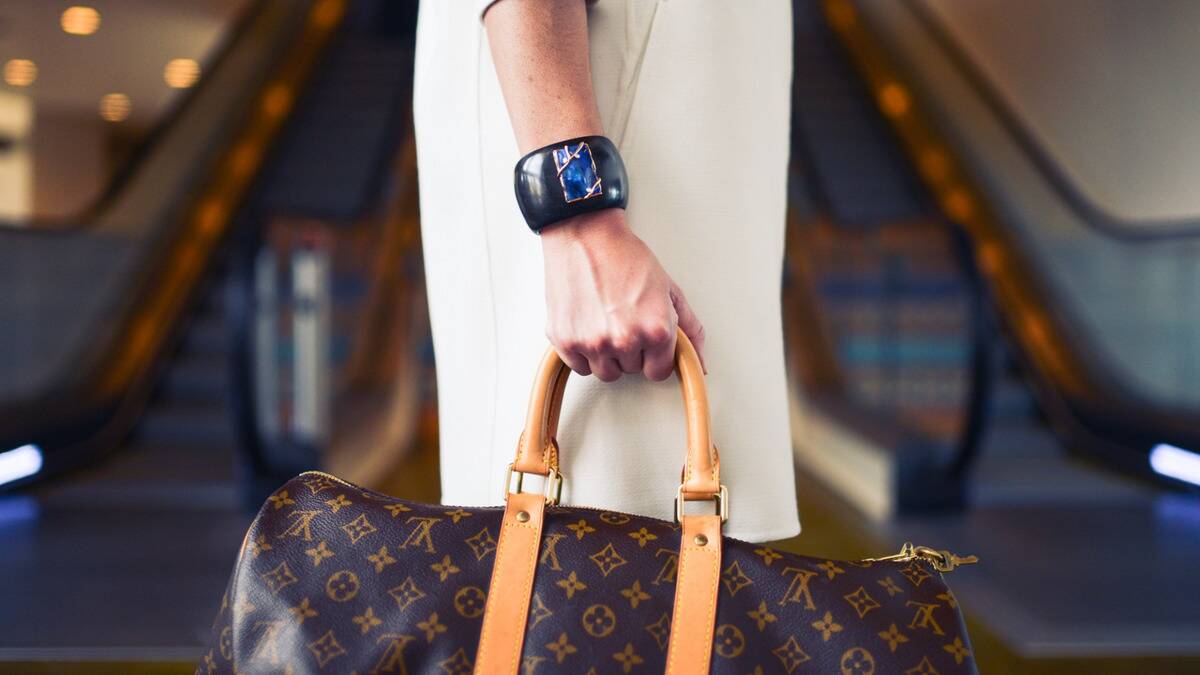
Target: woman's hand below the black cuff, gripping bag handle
(610, 306)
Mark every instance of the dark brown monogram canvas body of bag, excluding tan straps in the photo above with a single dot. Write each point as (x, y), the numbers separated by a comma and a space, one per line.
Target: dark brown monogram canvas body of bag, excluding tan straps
(333, 578)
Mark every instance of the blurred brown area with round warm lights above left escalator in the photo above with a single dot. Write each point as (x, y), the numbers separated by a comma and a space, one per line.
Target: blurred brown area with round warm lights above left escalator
(85, 87)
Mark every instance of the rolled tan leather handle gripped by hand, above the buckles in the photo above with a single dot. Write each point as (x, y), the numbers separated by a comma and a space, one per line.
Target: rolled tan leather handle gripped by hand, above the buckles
(538, 450)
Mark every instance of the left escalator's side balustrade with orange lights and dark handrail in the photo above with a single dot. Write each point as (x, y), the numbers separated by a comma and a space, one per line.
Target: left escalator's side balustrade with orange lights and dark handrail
(86, 347)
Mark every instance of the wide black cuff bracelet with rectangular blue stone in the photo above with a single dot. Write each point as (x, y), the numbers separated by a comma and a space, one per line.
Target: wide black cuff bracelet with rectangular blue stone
(571, 178)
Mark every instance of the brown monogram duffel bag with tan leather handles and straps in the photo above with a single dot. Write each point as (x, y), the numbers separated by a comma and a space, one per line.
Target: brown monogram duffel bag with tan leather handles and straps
(334, 578)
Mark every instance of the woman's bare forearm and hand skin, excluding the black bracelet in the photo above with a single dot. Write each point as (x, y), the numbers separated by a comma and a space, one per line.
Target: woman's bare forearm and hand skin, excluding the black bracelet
(611, 309)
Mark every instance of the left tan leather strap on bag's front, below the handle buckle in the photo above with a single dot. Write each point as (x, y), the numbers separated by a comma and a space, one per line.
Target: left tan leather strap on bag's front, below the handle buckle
(512, 587)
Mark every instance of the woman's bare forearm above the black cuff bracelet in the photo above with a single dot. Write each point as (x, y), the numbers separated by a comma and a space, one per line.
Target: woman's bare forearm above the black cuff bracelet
(541, 50)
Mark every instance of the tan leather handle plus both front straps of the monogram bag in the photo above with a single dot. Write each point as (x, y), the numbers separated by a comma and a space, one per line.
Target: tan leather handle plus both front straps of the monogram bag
(698, 580)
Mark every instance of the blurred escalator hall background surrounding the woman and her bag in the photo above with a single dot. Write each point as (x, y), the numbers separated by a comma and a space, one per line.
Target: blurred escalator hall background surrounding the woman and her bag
(211, 279)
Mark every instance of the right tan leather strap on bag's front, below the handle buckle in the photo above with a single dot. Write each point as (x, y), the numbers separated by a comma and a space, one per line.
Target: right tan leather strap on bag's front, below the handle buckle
(698, 582)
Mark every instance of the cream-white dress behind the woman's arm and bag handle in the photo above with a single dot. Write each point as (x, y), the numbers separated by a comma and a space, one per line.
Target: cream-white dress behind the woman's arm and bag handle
(697, 95)
